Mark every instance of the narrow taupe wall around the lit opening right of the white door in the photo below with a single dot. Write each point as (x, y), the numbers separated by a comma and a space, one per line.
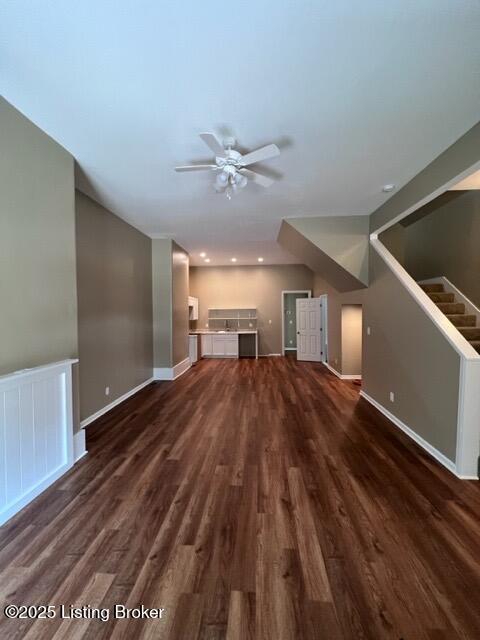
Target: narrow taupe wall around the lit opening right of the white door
(335, 301)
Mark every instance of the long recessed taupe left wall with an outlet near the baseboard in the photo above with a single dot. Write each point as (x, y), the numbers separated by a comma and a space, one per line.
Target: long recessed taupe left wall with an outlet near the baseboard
(114, 280)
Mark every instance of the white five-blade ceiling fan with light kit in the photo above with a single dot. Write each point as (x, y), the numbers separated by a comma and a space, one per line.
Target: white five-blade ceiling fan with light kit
(230, 165)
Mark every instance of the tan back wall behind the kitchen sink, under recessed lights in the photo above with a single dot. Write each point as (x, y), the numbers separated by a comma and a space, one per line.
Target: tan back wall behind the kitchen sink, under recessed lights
(250, 286)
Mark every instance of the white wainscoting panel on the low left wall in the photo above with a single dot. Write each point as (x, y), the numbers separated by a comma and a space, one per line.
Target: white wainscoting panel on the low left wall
(36, 432)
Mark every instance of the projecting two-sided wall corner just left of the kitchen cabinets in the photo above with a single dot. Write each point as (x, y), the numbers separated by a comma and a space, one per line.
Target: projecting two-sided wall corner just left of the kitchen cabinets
(170, 273)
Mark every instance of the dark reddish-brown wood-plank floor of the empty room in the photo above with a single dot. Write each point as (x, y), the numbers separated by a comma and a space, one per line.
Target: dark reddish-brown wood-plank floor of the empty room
(250, 499)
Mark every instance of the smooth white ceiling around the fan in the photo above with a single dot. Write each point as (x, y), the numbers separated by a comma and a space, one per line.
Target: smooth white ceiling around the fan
(356, 94)
